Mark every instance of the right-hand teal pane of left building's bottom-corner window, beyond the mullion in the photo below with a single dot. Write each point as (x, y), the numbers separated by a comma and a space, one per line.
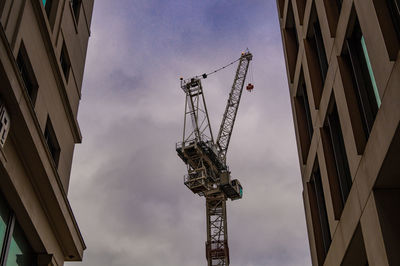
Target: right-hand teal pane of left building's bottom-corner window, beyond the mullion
(20, 252)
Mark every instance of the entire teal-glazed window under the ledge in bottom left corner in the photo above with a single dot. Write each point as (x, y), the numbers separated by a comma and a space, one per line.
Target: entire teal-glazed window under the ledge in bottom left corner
(15, 248)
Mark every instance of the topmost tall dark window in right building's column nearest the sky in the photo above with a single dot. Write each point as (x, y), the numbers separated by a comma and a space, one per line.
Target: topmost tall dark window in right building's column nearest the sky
(291, 41)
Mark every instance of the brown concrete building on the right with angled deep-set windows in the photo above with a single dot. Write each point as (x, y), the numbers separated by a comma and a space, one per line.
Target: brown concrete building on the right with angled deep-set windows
(342, 59)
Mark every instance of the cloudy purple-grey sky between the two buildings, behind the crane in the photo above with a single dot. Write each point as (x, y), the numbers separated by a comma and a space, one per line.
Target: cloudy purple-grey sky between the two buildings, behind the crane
(127, 188)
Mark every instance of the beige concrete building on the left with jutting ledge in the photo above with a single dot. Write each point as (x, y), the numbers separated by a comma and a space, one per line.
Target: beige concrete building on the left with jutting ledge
(43, 47)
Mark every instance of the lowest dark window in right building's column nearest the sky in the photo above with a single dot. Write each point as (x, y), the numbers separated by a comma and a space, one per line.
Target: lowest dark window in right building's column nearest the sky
(319, 216)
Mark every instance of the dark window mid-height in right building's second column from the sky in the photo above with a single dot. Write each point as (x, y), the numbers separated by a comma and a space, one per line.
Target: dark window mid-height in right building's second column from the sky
(336, 161)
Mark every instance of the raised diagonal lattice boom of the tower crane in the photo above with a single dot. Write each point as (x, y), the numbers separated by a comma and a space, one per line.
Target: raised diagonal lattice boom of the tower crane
(232, 106)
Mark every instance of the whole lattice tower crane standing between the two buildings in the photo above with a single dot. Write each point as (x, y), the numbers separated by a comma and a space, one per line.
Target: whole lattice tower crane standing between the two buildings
(208, 174)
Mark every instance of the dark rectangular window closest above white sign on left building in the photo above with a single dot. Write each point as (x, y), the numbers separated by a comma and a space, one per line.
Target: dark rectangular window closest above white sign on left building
(27, 74)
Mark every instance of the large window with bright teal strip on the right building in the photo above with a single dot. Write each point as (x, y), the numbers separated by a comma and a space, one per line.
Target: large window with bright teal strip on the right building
(355, 56)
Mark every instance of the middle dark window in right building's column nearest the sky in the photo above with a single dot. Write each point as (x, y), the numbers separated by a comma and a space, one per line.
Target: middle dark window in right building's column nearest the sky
(303, 117)
